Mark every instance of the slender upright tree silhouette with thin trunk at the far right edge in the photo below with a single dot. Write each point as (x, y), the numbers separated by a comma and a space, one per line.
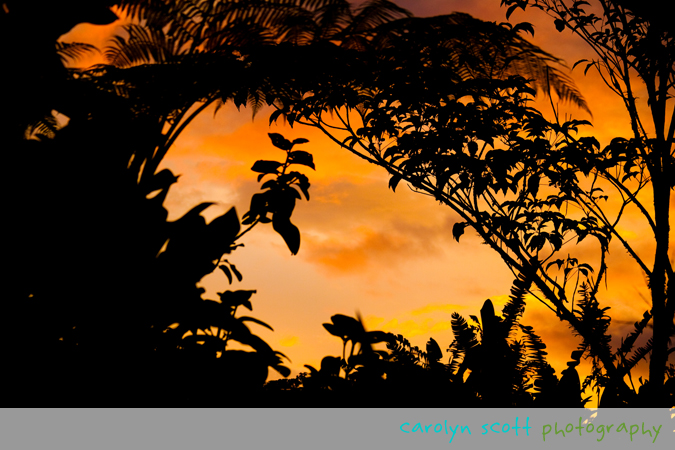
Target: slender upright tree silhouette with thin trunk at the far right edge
(634, 46)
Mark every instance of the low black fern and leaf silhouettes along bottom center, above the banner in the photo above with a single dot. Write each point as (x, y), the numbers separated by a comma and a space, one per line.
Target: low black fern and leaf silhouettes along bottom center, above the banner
(487, 368)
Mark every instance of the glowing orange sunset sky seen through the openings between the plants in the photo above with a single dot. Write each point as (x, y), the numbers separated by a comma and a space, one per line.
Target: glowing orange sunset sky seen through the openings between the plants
(388, 255)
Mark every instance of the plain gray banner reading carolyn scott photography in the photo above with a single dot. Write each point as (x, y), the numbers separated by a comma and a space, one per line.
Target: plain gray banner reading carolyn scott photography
(335, 428)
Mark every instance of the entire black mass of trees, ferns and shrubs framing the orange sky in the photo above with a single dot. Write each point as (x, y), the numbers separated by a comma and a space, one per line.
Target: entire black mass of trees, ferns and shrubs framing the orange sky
(102, 303)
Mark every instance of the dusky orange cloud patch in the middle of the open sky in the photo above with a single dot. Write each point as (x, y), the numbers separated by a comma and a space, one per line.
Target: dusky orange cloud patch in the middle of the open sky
(354, 230)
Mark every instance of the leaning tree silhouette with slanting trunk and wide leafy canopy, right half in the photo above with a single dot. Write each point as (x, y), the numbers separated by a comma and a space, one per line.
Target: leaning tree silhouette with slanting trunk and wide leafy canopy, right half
(460, 130)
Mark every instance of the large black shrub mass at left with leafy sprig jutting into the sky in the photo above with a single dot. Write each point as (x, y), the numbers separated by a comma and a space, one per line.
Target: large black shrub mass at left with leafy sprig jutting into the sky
(108, 314)
